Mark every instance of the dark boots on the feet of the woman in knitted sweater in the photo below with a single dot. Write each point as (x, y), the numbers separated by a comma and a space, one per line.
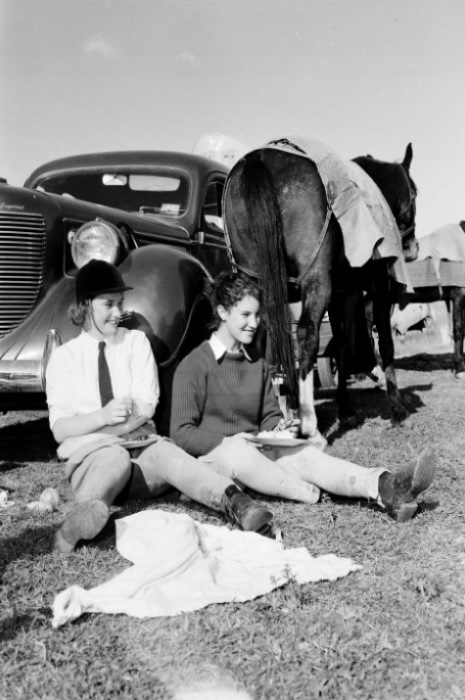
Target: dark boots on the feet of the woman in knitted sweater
(398, 490)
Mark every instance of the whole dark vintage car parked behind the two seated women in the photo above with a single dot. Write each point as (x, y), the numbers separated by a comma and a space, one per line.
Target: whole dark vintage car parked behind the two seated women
(163, 230)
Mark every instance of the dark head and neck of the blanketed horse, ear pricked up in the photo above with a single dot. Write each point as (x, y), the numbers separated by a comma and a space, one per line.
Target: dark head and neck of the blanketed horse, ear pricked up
(400, 192)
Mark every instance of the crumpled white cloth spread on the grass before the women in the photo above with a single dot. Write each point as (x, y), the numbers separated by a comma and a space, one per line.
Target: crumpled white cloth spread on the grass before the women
(181, 565)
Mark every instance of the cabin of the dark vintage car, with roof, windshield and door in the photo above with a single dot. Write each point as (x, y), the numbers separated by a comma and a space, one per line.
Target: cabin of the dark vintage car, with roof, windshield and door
(178, 188)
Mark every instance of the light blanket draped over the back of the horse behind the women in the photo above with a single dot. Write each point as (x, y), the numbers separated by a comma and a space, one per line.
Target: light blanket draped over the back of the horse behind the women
(367, 223)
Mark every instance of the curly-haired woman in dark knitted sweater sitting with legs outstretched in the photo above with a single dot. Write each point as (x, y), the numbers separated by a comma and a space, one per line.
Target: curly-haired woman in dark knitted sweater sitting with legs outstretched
(222, 396)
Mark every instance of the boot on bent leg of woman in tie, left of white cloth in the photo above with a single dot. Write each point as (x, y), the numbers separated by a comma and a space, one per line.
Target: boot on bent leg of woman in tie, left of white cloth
(84, 522)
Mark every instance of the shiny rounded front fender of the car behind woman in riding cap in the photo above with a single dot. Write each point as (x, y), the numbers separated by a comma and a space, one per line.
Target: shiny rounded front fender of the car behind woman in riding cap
(168, 303)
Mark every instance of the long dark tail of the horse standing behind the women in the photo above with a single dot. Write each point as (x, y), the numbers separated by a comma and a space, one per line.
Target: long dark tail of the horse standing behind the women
(265, 228)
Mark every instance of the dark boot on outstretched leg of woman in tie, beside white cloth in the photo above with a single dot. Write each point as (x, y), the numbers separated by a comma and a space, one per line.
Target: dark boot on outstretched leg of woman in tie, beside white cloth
(246, 513)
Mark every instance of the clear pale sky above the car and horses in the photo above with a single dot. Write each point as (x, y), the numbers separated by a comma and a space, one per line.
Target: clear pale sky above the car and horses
(363, 76)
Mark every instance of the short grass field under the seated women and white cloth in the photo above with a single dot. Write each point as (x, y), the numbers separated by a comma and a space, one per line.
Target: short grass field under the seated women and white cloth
(394, 630)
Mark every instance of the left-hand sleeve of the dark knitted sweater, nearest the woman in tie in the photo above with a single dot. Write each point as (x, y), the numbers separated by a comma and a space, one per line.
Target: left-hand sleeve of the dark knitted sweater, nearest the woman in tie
(187, 405)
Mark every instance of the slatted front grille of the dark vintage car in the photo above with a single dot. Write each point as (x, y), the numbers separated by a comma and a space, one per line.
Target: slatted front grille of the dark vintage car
(22, 249)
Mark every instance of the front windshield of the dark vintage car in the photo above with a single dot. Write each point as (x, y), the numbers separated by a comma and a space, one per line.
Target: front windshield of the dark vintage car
(146, 193)
